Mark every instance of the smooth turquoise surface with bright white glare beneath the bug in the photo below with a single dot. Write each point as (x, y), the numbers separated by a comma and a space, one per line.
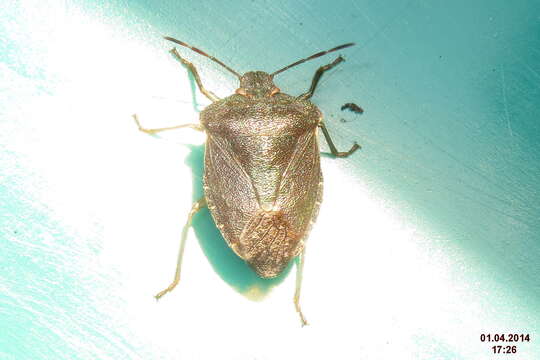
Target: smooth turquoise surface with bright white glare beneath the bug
(450, 138)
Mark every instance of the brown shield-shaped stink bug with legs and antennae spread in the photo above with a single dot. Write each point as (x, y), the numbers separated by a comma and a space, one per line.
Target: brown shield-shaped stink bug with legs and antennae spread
(262, 174)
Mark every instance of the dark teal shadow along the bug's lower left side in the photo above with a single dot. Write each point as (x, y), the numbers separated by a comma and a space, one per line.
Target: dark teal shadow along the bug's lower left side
(232, 269)
